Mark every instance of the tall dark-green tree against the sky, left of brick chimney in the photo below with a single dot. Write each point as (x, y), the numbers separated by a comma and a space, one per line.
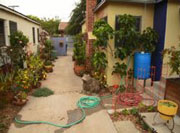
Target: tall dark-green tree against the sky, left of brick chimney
(78, 15)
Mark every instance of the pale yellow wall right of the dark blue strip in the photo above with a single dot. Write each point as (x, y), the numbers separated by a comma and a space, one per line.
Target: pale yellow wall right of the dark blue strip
(172, 28)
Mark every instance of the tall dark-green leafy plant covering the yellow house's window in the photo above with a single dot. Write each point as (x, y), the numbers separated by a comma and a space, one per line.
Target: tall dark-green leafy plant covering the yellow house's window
(127, 36)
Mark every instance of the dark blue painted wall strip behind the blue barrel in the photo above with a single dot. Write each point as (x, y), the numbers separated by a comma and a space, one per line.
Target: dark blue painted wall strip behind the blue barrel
(160, 26)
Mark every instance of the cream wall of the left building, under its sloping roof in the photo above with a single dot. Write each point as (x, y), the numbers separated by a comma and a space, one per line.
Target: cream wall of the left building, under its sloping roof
(22, 25)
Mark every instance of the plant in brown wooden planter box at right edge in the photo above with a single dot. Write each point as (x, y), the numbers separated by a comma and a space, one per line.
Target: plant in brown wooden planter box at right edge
(173, 84)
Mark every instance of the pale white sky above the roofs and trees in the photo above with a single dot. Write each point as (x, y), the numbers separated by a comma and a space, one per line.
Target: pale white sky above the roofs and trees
(44, 8)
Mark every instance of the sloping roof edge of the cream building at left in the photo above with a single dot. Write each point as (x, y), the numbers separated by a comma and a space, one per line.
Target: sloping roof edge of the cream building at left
(7, 9)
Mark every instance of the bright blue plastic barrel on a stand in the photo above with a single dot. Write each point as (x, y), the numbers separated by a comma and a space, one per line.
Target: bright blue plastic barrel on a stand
(142, 65)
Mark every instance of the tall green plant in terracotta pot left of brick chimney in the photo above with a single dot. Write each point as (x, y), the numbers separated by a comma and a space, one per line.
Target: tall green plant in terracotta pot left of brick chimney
(79, 56)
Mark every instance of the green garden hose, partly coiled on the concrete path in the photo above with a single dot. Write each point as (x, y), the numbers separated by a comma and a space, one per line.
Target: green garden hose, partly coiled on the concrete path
(86, 102)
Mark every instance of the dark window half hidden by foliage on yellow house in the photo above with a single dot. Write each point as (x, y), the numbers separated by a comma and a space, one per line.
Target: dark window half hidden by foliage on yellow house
(117, 27)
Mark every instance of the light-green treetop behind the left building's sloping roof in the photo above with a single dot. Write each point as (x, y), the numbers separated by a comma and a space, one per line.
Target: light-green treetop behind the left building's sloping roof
(49, 24)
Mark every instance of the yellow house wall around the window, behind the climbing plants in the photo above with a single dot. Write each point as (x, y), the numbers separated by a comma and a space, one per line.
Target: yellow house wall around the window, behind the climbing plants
(111, 10)
